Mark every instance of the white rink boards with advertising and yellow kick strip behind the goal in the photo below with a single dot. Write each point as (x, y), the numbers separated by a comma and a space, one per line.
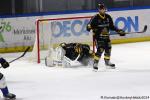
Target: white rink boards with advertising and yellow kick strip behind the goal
(20, 32)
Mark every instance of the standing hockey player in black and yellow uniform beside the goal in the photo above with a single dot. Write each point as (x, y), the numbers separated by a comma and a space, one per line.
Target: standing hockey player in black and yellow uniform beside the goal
(101, 24)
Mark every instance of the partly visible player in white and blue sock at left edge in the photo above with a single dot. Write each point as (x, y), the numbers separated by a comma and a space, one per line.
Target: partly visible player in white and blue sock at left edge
(3, 85)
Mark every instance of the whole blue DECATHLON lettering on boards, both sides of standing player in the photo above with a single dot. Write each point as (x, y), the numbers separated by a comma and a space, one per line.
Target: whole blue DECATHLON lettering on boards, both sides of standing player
(77, 27)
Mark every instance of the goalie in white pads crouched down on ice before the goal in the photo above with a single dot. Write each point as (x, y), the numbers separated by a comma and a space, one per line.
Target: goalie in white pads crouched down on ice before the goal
(67, 53)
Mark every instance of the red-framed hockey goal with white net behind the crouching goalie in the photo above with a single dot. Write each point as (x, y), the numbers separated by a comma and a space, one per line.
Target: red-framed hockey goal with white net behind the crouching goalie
(53, 31)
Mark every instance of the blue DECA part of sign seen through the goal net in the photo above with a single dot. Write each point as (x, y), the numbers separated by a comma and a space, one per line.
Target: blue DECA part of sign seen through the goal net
(75, 27)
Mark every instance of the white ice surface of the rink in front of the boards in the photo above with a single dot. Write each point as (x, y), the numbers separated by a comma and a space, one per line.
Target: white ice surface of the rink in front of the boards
(31, 81)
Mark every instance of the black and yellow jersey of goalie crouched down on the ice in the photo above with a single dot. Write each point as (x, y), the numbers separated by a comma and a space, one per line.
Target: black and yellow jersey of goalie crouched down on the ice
(77, 51)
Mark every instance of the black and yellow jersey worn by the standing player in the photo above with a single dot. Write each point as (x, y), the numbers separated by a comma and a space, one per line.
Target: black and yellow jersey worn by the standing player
(101, 25)
